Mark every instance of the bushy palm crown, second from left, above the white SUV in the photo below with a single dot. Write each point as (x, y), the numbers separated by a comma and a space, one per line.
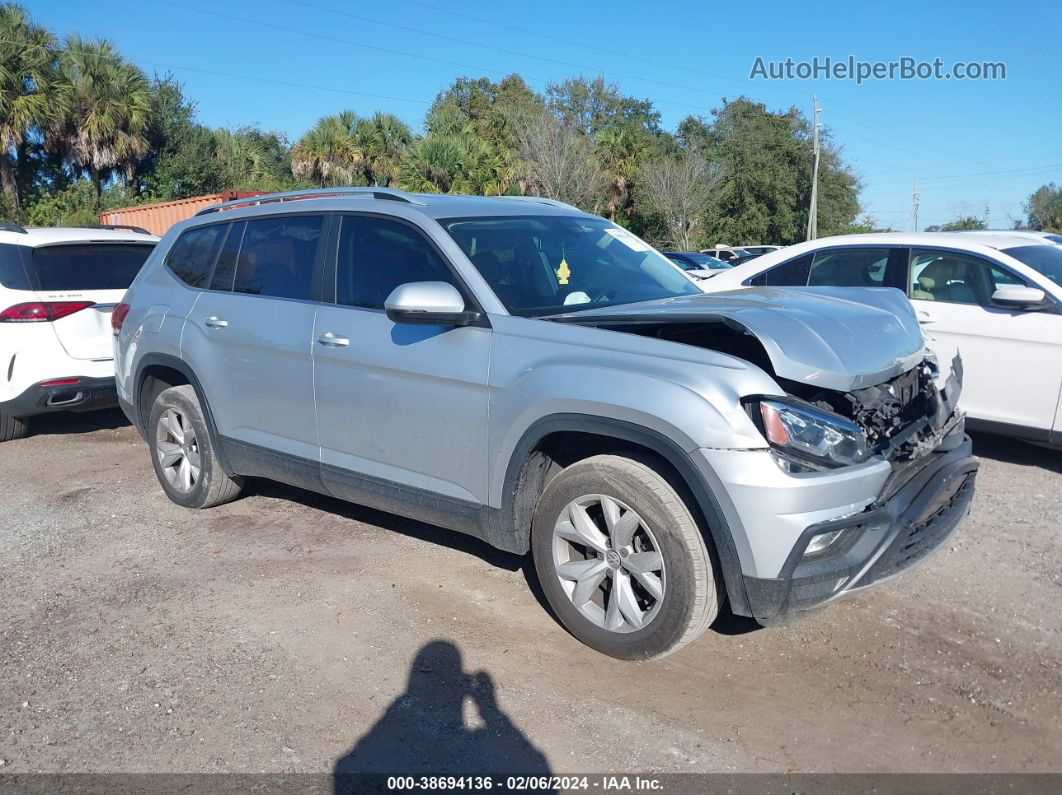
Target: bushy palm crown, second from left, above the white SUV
(106, 105)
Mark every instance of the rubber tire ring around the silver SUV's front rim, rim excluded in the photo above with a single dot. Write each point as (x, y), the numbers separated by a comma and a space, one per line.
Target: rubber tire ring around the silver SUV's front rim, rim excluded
(671, 625)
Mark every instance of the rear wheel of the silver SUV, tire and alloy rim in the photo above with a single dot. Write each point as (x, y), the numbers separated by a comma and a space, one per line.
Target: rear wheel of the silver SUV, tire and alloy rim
(183, 453)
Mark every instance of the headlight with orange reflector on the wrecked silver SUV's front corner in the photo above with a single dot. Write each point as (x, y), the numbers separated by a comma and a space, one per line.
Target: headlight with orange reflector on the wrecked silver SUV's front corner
(817, 440)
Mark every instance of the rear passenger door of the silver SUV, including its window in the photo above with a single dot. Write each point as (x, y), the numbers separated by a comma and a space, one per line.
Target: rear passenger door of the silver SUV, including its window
(248, 338)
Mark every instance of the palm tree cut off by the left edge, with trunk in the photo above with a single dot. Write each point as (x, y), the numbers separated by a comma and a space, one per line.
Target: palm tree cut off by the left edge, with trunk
(27, 66)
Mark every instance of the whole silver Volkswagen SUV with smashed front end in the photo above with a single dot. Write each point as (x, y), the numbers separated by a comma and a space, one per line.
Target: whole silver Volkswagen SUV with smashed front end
(542, 379)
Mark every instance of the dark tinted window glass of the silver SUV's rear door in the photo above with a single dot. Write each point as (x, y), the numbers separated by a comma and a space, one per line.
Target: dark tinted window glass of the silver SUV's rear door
(278, 257)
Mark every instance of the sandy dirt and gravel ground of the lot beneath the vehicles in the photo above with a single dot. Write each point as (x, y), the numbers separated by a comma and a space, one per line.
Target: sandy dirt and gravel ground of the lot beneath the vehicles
(288, 632)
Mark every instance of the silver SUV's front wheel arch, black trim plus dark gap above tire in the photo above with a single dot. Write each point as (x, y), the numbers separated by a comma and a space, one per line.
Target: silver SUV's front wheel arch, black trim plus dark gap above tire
(559, 441)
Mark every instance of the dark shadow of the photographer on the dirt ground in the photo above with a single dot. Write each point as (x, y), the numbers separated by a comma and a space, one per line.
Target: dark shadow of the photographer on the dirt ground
(423, 732)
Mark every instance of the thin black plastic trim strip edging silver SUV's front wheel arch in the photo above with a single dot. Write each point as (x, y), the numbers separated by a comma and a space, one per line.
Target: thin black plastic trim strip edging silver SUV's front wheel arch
(714, 522)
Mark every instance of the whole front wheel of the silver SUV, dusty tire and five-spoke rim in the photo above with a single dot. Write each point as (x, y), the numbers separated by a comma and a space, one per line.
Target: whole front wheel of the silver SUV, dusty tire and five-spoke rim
(622, 560)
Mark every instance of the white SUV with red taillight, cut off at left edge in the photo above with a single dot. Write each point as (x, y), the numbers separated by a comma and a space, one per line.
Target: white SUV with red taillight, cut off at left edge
(58, 287)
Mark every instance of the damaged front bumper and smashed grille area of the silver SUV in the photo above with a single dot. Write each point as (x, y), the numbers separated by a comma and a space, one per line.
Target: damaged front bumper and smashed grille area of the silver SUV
(807, 539)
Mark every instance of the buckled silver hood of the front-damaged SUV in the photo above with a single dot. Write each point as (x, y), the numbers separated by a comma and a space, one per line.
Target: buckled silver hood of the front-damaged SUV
(836, 338)
